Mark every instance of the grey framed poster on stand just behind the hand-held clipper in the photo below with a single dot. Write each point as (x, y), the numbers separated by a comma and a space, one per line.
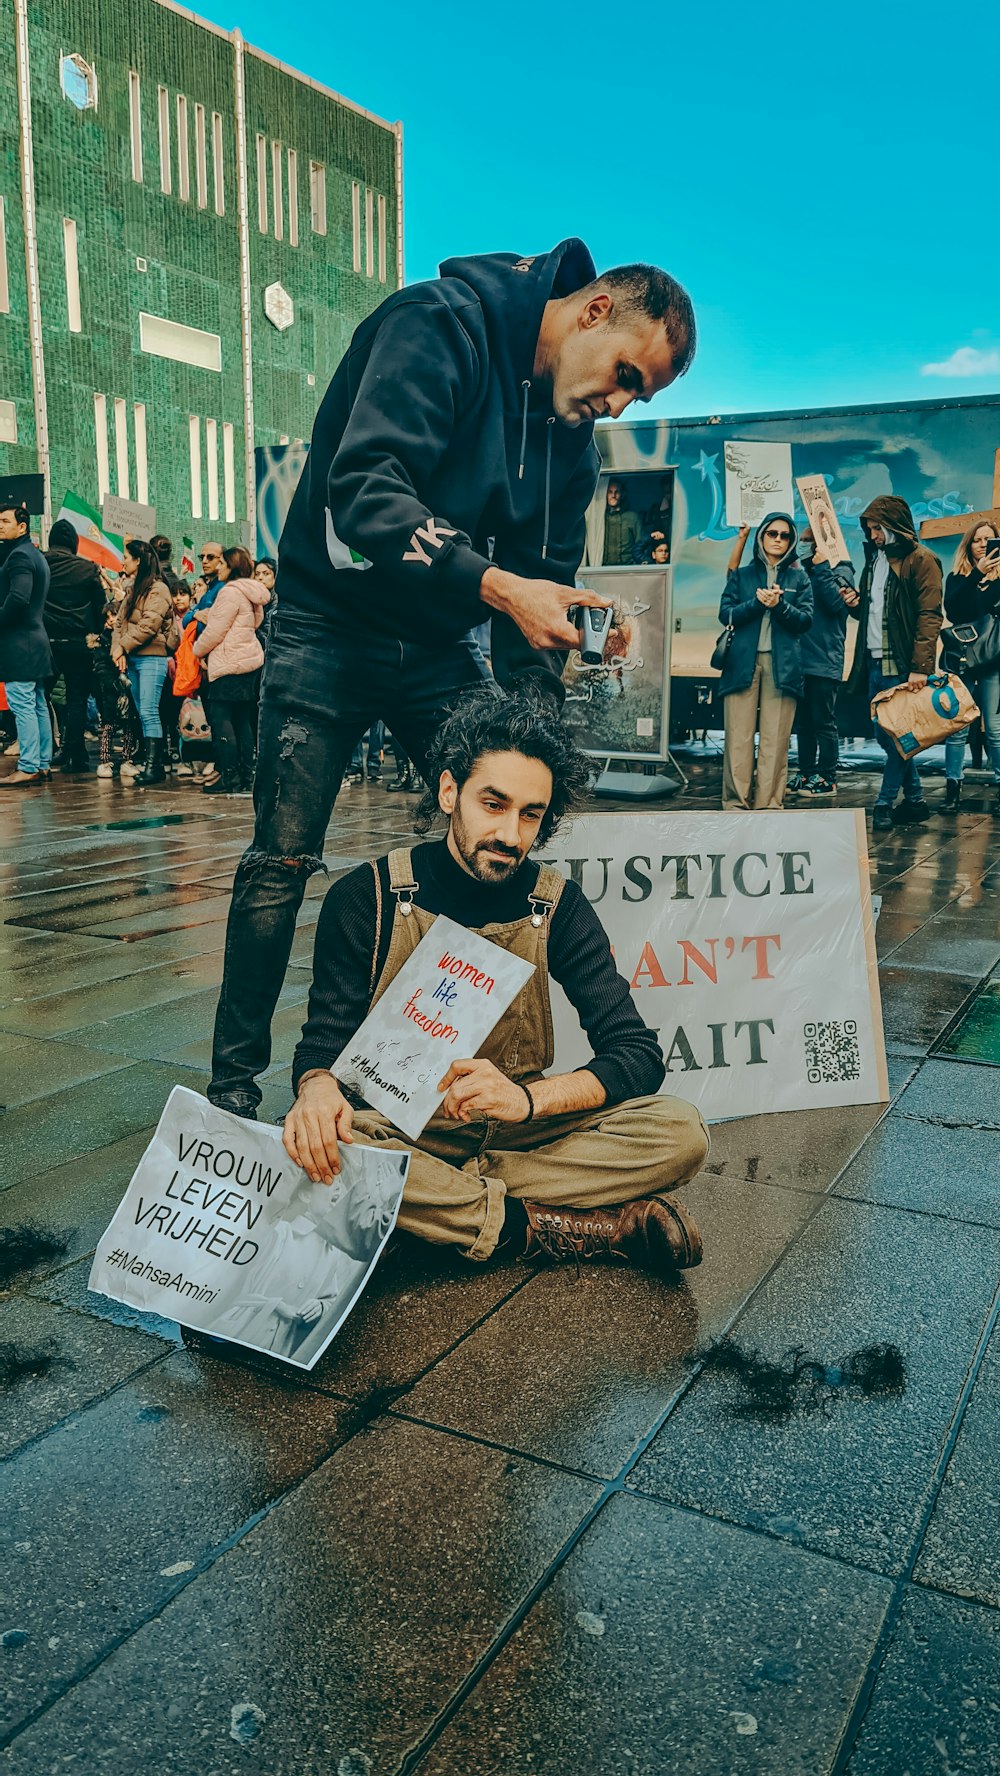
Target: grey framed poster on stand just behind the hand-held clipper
(621, 710)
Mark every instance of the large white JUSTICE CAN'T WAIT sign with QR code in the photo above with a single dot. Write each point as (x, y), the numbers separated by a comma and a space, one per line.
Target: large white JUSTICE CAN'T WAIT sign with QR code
(749, 944)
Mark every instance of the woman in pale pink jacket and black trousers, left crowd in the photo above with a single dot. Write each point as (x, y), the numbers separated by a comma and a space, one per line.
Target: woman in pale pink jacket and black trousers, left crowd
(235, 656)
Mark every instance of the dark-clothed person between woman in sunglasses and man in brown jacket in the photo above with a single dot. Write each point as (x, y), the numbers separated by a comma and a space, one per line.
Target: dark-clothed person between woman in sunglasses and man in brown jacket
(834, 594)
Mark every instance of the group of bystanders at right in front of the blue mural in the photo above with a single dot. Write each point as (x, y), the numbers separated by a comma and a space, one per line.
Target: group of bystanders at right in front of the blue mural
(782, 654)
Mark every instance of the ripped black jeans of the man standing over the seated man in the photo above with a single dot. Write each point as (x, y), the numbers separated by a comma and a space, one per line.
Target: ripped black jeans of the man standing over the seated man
(324, 686)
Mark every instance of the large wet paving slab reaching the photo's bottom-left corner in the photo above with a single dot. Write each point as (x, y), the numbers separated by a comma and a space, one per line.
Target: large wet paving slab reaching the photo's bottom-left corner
(347, 1619)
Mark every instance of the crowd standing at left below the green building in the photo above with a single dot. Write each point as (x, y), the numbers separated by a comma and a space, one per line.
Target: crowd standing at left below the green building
(155, 670)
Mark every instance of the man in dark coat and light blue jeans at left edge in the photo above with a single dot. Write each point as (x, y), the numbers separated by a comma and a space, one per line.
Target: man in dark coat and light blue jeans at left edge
(26, 656)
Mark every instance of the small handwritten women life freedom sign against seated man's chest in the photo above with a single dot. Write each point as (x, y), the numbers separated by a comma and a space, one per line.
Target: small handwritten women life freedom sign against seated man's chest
(440, 1008)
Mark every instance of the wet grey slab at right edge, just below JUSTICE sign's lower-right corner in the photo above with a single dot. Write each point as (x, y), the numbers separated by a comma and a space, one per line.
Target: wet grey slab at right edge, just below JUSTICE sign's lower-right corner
(939, 1171)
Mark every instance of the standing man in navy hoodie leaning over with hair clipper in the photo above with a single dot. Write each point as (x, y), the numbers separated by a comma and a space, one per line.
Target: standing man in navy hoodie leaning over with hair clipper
(450, 472)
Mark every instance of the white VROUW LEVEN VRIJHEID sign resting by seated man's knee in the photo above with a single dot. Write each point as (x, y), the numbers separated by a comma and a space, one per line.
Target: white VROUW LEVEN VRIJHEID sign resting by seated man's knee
(221, 1232)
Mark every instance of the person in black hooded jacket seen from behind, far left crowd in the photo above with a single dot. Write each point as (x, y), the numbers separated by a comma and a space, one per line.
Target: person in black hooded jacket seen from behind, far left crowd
(74, 619)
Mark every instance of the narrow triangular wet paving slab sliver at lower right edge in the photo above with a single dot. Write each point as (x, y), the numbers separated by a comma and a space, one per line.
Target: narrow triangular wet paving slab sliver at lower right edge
(962, 1548)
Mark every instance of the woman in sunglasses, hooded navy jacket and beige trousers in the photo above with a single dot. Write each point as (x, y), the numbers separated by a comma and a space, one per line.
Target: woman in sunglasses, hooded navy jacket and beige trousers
(768, 605)
